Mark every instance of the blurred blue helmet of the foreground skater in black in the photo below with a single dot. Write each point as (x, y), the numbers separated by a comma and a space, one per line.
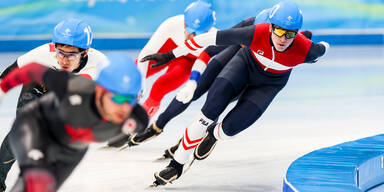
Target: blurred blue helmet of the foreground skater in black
(120, 75)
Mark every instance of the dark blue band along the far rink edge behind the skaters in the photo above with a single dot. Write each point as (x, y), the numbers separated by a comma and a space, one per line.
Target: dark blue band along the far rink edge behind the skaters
(22, 44)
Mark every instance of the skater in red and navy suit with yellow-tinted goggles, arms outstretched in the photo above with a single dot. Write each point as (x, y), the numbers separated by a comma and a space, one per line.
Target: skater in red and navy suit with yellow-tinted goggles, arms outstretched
(256, 73)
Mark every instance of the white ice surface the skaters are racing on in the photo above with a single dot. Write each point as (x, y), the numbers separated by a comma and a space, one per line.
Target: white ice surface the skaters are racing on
(338, 99)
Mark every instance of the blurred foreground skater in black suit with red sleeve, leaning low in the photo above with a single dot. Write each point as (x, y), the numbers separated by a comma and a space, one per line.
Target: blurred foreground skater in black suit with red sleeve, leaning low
(51, 134)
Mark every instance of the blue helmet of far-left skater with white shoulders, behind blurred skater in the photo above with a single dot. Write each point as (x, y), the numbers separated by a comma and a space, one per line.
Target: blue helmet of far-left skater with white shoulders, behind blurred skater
(73, 32)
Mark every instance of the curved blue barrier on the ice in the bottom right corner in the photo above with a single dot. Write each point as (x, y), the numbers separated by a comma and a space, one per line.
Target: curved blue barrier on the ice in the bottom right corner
(354, 166)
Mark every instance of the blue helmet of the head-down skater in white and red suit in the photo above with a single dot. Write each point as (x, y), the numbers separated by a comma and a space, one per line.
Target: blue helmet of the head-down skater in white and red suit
(199, 17)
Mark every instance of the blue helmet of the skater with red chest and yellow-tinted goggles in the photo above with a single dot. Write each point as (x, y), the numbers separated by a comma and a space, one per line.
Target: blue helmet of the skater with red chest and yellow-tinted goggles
(287, 15)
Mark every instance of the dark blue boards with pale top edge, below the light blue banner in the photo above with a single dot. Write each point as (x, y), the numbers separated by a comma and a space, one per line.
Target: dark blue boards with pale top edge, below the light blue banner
(134, 42)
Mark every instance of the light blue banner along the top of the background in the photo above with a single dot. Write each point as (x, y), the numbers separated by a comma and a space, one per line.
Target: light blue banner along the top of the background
(122, 19)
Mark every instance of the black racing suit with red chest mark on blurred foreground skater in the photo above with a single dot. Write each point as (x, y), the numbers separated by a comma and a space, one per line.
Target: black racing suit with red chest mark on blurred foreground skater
(61, 124)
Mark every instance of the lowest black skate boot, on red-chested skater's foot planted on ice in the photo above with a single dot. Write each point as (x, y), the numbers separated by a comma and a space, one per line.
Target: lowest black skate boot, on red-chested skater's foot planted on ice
(170, 173)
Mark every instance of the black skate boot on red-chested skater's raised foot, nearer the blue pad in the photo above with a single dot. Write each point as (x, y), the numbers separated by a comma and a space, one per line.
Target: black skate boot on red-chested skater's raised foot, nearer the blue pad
(205, 148)
